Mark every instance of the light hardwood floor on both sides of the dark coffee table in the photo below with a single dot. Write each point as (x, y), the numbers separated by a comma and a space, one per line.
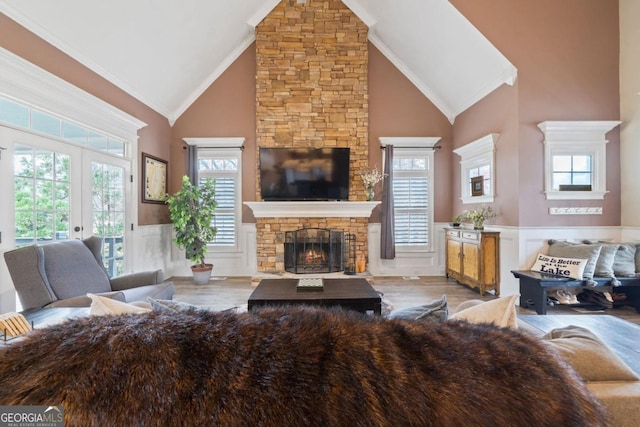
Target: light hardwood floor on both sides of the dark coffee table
(399, 292)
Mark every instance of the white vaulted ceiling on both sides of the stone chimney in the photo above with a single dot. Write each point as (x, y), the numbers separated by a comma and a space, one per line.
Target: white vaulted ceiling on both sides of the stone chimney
(166, 53)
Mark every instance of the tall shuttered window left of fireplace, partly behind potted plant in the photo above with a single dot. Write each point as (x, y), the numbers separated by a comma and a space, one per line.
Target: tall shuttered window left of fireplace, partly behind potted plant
(224, 165)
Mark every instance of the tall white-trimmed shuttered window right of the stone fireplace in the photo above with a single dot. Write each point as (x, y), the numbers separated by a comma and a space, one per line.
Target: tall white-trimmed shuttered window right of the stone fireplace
(412, 192)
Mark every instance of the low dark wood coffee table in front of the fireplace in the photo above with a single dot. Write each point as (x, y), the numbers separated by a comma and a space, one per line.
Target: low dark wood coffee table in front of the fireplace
(355, 294)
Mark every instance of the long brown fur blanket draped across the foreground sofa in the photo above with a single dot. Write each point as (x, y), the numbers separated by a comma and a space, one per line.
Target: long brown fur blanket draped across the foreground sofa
(291, 367)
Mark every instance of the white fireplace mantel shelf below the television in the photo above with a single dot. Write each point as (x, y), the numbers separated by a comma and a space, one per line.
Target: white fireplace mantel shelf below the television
(312, 209)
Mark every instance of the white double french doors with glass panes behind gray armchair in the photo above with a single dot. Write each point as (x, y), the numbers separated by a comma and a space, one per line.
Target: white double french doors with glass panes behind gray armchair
(53, 190)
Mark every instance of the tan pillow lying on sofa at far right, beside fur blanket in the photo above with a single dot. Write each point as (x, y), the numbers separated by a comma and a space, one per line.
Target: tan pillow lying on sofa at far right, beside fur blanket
(590, 357)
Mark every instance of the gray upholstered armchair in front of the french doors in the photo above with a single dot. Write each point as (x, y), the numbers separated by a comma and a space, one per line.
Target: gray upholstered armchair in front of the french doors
(61, 274)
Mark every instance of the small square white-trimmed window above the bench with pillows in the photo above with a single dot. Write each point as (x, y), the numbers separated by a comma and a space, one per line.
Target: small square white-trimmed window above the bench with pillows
(575, 159)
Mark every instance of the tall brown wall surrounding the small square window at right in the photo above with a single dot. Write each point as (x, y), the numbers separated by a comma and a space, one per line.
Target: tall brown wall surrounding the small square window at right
(566, 54)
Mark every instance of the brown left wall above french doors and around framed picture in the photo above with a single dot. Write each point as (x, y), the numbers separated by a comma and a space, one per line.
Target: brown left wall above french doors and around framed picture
(153, 139)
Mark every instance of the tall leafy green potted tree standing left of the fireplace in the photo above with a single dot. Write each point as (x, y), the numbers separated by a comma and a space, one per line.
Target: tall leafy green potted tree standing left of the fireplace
(191, 210)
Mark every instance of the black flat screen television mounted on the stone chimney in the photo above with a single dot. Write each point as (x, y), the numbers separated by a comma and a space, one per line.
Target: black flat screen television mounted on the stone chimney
(304, 174)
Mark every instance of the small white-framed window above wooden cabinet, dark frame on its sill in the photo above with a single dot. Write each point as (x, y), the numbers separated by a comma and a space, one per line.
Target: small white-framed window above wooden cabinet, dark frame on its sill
(477, 170)
